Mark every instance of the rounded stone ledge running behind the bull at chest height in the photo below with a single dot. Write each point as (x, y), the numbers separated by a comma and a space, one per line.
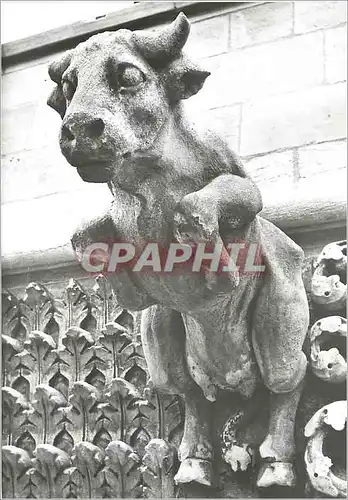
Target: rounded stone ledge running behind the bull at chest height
(294, 216)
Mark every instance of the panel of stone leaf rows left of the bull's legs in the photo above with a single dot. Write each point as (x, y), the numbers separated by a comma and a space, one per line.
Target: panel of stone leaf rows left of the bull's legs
(77, 420)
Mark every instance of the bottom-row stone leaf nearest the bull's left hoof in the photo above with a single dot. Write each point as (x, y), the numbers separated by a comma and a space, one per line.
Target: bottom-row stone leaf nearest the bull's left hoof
(159, 468)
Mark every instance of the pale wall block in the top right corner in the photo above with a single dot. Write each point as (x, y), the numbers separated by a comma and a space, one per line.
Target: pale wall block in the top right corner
(315, 15)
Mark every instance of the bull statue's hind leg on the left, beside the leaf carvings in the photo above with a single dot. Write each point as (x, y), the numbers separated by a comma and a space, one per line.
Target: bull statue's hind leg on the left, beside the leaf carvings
(164, 338)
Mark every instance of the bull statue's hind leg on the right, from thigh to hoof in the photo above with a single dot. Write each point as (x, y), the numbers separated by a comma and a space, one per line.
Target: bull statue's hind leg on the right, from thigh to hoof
(279, 327)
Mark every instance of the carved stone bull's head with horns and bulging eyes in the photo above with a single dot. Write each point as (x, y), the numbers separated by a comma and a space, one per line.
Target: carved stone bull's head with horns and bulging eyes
(115, 93)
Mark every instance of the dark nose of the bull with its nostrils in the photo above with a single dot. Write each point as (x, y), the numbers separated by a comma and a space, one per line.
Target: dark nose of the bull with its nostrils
(81, 126)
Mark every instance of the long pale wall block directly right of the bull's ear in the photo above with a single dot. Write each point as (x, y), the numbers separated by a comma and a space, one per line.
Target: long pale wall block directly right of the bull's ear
(264, 70)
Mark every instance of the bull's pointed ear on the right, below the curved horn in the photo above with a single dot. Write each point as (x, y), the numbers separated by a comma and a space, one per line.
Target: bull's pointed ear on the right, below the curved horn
(184, 79)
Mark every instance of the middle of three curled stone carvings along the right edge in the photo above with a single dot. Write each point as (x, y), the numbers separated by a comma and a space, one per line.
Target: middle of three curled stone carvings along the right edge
(328, 364)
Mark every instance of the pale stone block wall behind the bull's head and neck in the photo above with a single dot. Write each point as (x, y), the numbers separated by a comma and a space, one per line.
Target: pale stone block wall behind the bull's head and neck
(276, 92)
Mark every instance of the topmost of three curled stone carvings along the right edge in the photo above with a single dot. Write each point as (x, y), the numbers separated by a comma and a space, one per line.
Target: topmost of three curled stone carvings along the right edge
(329, 287)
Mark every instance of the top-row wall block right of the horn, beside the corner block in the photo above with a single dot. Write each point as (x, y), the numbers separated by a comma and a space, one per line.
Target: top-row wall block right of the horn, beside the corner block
(260, 23)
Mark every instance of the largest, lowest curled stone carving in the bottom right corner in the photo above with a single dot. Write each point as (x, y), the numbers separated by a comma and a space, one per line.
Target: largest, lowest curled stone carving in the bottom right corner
(319, 467)
